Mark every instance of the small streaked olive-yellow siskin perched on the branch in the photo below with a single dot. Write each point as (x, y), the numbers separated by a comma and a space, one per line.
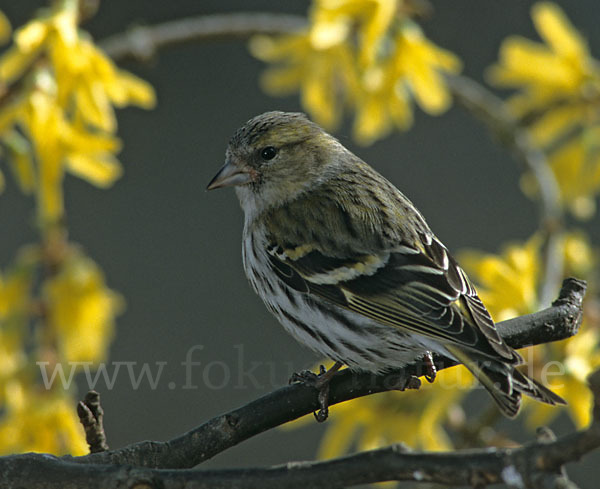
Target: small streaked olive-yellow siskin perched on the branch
(349, 266)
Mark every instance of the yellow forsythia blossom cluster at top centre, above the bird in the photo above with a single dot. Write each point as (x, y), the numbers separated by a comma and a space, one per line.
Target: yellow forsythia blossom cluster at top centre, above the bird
(368, 55)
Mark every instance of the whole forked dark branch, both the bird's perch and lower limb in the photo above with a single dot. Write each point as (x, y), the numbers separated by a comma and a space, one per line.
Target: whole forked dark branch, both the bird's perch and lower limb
(143, 464)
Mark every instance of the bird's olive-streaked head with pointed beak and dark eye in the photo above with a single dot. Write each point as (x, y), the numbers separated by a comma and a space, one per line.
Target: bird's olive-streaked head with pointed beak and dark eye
(275, 157)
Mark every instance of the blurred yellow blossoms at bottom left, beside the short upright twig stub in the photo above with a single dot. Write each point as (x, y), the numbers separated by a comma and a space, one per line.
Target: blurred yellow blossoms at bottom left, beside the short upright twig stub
(37, 421)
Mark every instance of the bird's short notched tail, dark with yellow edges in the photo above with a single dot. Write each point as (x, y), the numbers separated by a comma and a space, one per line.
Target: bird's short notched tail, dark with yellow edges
(504, 382)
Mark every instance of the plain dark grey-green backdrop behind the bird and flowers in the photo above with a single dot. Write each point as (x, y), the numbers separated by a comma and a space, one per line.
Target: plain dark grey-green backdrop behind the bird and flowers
(173, 250)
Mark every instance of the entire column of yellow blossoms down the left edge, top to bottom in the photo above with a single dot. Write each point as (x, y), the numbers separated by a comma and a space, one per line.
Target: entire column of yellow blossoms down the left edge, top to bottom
(57, 97)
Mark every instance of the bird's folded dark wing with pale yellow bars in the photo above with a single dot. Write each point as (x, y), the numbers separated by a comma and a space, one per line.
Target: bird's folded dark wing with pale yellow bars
(417, 288)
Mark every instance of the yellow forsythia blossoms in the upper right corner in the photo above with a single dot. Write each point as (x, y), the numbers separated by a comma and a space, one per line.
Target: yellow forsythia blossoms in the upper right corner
(559, 100)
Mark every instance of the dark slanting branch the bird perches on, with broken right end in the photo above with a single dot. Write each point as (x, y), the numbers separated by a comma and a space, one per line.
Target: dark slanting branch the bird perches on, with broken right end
(557, 322)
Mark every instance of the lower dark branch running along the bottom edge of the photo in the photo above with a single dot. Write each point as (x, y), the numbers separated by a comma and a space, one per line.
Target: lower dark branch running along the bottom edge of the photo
(536, 465)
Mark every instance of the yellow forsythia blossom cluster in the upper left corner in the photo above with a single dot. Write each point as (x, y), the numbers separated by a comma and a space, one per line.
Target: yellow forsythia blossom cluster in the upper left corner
(67, 109)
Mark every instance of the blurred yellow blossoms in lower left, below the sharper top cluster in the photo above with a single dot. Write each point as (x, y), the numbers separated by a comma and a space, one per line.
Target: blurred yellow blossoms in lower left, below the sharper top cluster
(72, 321)
